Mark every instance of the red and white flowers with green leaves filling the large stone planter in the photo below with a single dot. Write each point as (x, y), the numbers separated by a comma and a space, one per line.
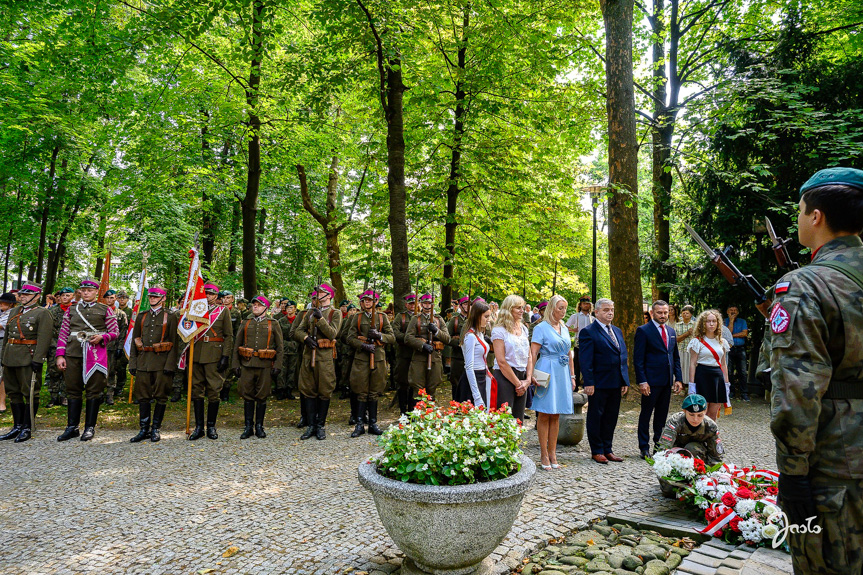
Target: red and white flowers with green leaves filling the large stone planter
(453, 445)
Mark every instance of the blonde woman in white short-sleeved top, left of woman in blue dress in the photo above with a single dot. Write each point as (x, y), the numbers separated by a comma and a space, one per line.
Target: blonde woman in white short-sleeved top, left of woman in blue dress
(511, 340)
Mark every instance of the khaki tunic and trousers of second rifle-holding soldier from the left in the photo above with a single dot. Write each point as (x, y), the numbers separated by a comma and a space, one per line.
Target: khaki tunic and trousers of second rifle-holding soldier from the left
(369, 383)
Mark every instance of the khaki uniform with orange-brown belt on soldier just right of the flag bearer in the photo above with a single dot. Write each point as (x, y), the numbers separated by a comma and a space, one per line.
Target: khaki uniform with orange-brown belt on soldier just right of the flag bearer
(262, 337)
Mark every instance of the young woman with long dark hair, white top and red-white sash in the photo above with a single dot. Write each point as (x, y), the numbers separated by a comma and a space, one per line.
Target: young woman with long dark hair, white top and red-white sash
(476, 377)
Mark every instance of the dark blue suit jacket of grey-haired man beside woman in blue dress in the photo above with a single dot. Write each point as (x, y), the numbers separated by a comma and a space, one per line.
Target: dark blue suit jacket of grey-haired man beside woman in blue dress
(602, 364)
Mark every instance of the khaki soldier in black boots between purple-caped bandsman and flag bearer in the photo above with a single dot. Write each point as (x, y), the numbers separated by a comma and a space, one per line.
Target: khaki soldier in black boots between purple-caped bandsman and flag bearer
(153, 362)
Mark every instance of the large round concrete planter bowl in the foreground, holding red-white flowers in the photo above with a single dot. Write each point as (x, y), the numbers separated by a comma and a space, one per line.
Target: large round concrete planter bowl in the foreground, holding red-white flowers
(447, 530)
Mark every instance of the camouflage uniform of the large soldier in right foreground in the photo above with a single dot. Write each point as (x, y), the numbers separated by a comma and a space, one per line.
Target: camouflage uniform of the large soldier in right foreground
(816, 361)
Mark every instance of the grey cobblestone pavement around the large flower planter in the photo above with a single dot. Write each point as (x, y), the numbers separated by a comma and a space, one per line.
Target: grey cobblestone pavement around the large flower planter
(276, 505)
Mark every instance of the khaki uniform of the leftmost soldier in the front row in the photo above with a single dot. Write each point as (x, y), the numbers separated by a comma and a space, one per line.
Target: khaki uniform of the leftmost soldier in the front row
(28, 337)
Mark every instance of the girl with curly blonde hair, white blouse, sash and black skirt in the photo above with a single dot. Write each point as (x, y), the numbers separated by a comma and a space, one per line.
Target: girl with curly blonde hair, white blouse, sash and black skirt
(708, 362)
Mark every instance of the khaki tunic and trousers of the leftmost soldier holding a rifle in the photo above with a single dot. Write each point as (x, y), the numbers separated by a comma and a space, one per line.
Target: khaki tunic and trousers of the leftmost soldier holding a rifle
(319, 381)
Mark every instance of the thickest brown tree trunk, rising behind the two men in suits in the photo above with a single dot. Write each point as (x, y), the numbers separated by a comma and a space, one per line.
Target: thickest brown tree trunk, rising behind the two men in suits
(623, 260)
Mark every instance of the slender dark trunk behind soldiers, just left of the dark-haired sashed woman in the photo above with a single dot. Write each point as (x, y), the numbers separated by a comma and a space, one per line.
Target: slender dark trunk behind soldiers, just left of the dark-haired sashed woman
(455, 167)
